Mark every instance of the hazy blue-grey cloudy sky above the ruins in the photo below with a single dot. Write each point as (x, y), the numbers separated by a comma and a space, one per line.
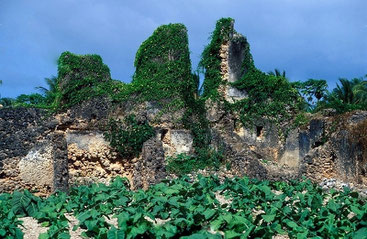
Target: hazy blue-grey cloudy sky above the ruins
(323, 39)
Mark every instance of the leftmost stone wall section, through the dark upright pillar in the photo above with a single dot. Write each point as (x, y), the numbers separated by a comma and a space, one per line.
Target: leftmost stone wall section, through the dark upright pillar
(30, 152)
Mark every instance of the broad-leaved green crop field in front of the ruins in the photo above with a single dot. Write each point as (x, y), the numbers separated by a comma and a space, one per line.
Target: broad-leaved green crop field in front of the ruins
(203, 208)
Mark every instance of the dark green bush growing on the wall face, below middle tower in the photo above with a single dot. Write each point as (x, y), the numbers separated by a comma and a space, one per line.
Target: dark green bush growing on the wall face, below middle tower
(127, 137)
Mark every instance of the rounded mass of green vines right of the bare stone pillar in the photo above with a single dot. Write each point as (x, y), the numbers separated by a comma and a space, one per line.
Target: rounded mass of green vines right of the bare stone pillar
(269, 96)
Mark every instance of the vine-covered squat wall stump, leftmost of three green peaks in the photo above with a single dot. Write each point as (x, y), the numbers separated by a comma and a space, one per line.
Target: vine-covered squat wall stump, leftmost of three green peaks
(81, 78)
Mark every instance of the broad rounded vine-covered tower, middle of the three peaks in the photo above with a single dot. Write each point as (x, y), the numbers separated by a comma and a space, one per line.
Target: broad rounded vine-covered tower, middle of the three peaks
(163, 66)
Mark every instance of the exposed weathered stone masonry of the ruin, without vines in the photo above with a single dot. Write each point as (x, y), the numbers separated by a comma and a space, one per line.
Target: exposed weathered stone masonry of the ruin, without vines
(44, 153)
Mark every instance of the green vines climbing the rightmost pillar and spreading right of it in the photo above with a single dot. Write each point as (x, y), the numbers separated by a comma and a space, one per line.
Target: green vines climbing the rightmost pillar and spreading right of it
(271, 97)
